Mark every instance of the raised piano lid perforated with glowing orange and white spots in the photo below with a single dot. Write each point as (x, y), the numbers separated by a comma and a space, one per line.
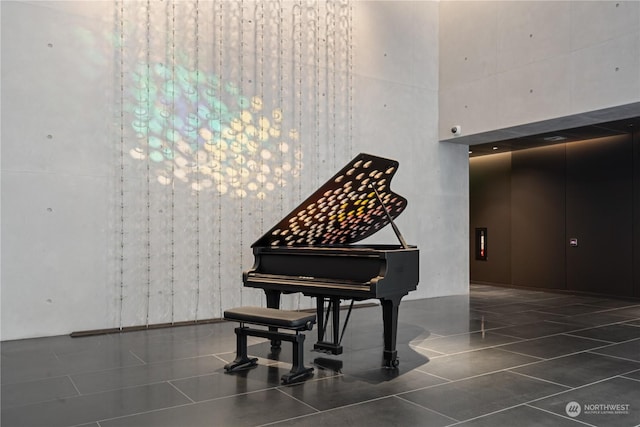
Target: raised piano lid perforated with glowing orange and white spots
(344, 210)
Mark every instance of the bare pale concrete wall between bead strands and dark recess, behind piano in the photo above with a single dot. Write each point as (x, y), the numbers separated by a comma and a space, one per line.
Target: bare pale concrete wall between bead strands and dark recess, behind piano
(397, 81)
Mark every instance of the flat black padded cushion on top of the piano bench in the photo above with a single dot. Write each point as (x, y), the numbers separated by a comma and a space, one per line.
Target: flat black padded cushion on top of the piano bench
(271, 317)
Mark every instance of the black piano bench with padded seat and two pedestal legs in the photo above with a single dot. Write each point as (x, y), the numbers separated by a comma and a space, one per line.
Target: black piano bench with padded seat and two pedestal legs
(272, 318)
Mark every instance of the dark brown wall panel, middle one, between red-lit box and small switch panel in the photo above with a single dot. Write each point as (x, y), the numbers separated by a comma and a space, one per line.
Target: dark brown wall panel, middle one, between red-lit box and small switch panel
(537, 217)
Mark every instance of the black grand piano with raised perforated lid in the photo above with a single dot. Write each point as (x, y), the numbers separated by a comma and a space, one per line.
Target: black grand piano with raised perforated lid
(312, 251)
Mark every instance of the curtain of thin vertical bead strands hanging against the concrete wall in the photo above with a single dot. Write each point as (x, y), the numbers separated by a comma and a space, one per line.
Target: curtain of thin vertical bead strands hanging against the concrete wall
(229, 114)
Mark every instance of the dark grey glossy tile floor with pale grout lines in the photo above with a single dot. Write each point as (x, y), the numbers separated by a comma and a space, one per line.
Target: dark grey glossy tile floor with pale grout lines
(498, 357)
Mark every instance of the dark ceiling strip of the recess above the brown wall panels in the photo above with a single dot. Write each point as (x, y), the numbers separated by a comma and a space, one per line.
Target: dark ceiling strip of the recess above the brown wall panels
(618, 127)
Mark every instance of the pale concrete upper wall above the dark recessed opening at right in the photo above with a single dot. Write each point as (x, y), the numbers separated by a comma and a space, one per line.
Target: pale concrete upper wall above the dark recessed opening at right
(508, 63)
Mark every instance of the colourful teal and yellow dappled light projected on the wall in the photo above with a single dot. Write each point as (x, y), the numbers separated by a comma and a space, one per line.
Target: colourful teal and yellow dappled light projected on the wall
(196, 129)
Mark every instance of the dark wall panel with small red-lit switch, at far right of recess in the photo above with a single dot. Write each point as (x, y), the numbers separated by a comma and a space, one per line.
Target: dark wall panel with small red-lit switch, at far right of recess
(599, 215)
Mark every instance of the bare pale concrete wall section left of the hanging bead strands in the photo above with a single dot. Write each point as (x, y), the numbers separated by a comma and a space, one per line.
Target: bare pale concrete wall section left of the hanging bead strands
(57, 181)
